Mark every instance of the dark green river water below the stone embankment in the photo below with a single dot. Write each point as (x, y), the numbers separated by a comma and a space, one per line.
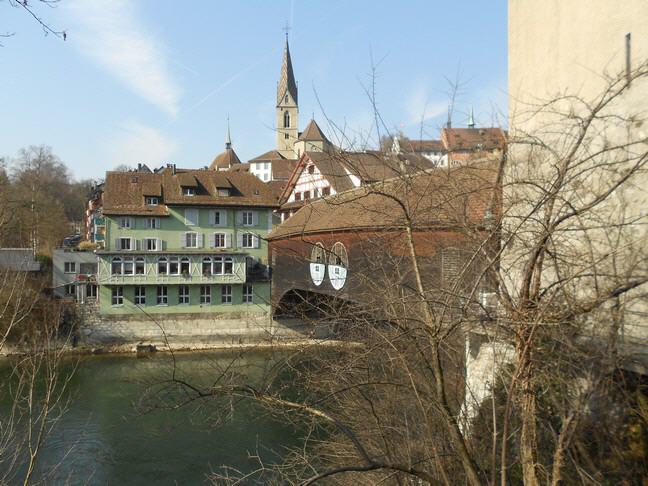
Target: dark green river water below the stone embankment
(105, 438)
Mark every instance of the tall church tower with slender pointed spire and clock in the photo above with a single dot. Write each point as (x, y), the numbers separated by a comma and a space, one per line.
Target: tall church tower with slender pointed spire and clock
(287, 109)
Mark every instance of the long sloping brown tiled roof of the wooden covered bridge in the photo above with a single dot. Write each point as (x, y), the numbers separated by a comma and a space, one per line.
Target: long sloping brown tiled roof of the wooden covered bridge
(438, 197)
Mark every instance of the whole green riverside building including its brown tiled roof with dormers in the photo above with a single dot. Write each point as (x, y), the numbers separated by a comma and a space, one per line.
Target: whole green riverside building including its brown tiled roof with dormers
(185, 242)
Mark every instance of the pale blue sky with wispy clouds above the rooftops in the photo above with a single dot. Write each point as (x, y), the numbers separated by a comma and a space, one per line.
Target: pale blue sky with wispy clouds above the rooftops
(154, 81)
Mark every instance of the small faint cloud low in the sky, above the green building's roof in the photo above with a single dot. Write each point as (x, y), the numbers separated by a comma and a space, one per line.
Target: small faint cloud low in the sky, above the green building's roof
(137, 142)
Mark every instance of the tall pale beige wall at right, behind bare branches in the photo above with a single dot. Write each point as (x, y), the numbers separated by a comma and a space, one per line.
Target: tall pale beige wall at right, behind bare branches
(573, 49)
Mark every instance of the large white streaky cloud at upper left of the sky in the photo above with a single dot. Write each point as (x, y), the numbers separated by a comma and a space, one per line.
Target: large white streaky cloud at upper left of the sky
(112, 34)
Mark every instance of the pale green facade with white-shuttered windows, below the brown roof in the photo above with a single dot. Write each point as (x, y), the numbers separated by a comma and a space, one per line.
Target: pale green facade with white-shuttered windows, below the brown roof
(248, 265)
